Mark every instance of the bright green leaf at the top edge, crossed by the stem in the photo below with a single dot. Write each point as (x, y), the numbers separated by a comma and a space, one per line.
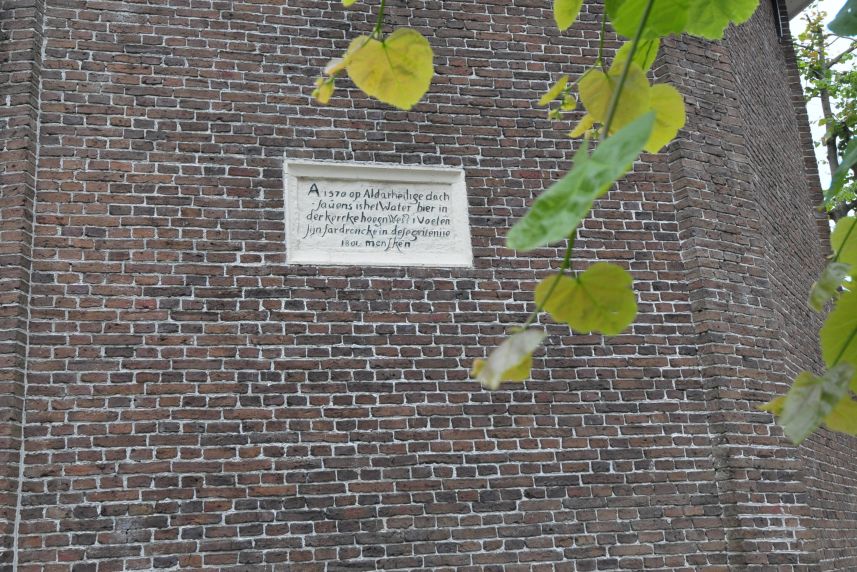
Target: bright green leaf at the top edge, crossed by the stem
(667, 17)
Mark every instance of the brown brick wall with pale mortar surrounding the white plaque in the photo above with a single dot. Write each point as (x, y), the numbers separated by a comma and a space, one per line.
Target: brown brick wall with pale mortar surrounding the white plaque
(195, 403)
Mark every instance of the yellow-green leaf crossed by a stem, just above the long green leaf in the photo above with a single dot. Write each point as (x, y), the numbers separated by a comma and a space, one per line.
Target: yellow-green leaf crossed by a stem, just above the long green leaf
(596, 91)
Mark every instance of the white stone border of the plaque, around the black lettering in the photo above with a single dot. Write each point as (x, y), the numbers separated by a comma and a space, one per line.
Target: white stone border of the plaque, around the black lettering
(453, 178)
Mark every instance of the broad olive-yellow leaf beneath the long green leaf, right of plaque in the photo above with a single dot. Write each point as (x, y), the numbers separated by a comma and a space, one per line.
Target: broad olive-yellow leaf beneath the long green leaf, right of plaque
(598, 300)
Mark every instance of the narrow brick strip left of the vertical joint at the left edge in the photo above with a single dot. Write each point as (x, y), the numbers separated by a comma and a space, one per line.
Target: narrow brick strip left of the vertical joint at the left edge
(20, 41)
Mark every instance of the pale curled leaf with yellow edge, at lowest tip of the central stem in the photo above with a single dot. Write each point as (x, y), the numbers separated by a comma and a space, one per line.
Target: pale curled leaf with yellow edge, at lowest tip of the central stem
(510, 361)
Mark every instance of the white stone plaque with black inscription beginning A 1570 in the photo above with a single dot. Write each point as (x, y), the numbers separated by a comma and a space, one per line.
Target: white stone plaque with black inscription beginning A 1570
(371, 214)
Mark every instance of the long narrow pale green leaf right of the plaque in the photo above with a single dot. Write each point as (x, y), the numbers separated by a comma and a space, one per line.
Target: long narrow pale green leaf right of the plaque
(561, 207)
